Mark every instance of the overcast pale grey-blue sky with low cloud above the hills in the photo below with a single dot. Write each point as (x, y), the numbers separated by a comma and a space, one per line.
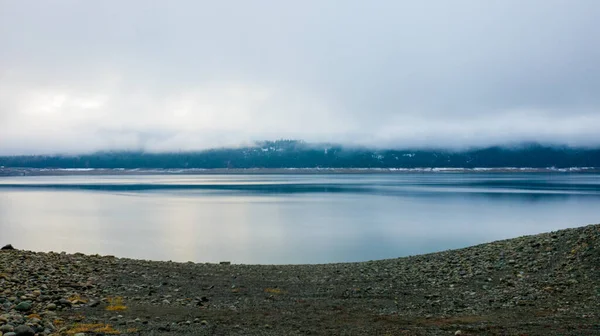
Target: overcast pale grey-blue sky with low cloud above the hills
(82, 76)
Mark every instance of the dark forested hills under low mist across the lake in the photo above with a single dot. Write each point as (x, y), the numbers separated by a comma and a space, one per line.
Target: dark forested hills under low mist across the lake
(298, 154)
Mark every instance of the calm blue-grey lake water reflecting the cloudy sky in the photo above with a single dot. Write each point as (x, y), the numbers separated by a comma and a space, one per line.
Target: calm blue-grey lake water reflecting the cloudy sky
(287, 218)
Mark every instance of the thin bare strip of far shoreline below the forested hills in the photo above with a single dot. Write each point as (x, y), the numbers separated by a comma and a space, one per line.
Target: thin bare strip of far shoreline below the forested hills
(260, 171)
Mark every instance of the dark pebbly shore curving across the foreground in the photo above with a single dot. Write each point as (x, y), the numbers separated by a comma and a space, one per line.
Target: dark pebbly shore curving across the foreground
(547, 284)
